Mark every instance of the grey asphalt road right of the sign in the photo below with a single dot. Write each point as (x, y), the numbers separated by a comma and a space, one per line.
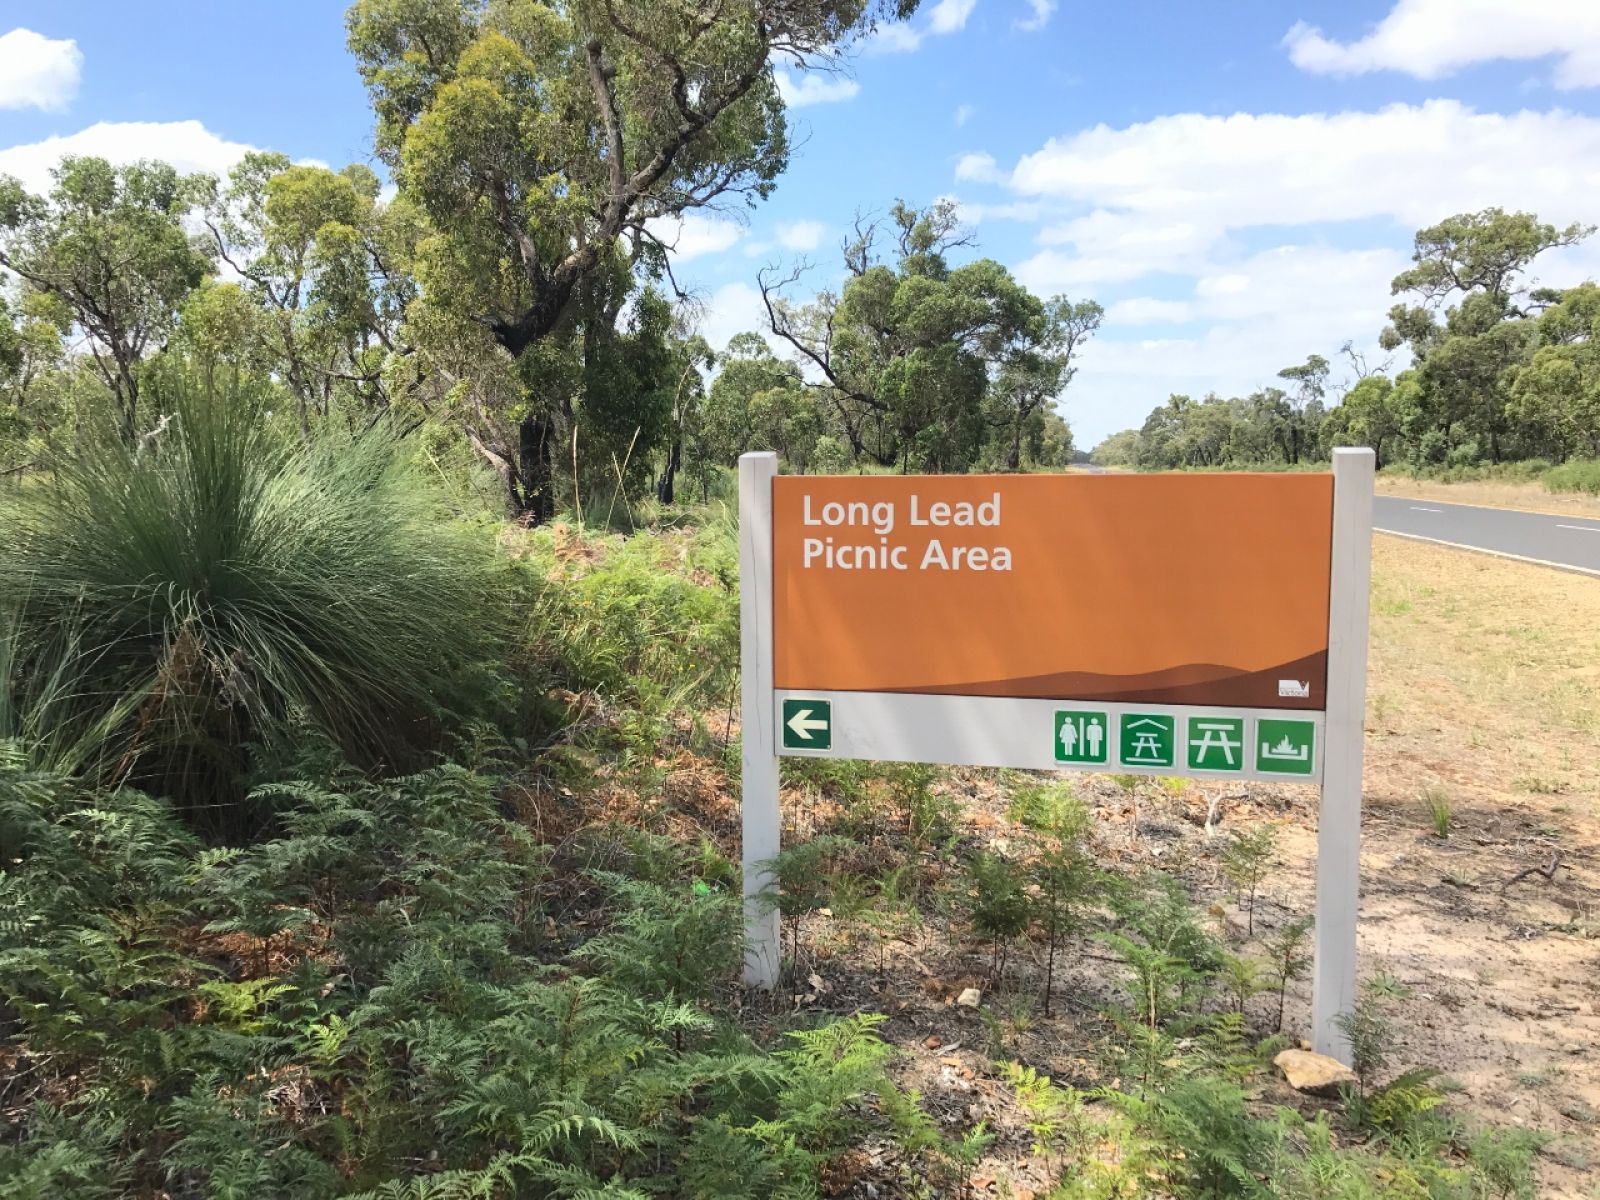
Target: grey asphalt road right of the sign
(1558, 542)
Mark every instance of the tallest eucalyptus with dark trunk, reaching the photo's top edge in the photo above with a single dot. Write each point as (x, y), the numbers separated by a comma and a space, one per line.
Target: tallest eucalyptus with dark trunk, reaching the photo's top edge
(543, 142)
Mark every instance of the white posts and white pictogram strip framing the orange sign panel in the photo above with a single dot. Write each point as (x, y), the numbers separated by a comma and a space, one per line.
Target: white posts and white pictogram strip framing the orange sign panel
(1047, 732)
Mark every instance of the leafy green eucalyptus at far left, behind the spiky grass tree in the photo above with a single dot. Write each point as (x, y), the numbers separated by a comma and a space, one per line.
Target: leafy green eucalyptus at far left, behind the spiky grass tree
(111, 247)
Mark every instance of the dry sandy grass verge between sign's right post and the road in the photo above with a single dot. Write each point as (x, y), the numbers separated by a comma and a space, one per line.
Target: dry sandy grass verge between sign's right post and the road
(1484, 762)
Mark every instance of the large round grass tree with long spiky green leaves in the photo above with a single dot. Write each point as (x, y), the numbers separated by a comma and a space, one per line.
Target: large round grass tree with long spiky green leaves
(212, 583)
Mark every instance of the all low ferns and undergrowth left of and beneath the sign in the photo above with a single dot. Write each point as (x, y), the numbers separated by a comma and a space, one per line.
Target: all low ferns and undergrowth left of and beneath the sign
(417, 985)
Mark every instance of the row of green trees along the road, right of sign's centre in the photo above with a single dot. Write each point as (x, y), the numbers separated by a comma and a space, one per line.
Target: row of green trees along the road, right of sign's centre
(1500, 370)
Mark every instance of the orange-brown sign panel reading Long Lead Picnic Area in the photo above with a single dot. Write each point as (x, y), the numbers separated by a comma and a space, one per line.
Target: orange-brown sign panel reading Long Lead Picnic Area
(1166, 590)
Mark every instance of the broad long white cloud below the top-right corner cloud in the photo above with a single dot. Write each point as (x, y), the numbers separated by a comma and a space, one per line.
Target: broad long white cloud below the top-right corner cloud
(1410, 164)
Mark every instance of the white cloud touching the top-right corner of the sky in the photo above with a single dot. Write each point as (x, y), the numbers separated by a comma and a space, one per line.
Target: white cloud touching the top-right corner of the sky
(1431, 39)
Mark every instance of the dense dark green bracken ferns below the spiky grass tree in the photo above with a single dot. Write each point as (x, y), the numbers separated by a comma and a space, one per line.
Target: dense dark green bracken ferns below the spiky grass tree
(374, 1002)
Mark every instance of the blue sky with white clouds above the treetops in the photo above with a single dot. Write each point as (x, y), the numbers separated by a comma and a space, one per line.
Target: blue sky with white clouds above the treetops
(1236, 182)
